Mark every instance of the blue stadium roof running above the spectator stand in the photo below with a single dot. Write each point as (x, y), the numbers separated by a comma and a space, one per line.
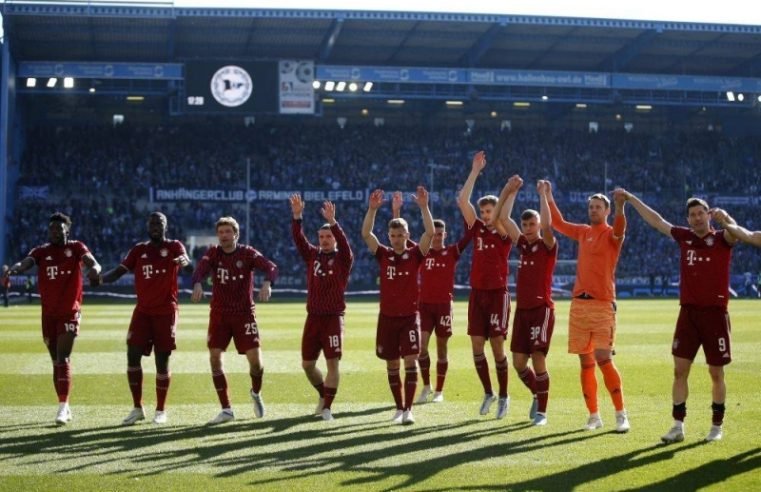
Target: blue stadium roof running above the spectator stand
(84, 31)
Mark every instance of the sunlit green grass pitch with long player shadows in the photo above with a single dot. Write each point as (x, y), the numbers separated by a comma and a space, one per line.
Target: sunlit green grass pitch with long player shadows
(450, 447)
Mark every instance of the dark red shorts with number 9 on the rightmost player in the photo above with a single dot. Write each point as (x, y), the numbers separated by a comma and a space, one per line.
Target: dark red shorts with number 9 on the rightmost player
(706, 326)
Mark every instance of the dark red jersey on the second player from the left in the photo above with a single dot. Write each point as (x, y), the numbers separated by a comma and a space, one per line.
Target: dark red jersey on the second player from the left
(155, 275)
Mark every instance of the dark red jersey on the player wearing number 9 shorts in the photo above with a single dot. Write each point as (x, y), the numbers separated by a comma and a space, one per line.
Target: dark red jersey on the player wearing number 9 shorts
(704, 268)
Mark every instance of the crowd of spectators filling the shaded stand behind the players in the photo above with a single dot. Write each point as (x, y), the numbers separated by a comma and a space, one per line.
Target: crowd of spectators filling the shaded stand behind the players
(103, 177)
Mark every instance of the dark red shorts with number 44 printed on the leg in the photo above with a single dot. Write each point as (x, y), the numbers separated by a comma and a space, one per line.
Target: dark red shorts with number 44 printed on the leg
(488, 312)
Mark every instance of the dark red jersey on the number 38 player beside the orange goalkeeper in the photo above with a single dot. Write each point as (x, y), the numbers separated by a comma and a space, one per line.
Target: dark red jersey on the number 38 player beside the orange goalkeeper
(535, 269)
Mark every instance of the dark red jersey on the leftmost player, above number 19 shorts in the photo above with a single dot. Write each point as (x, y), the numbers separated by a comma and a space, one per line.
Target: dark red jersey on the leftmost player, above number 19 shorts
(59, 275)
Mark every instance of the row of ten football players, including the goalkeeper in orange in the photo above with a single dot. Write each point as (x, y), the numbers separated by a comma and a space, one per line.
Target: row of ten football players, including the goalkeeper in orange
(416, 295)
